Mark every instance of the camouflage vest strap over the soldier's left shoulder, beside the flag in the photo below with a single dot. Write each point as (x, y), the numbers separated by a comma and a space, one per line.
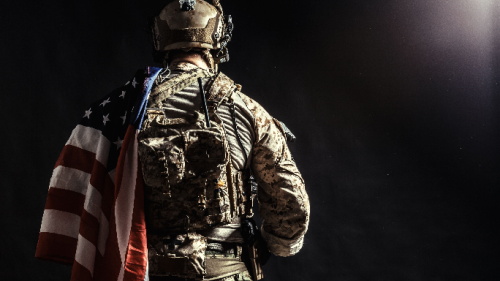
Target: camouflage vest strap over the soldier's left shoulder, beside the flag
(174, 85)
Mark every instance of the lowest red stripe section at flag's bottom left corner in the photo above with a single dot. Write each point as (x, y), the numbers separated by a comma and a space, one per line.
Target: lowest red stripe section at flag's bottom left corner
(56, 248)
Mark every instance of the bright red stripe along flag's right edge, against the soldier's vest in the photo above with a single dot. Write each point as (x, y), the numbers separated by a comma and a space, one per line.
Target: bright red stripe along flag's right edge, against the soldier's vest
(136, 261)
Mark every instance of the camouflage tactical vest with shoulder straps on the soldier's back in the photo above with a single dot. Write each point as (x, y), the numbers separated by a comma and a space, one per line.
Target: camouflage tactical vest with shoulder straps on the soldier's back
(187, 164)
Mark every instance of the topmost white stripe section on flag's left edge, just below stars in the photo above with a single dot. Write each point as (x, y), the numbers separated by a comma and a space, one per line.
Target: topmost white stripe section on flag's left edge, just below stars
(92, 140)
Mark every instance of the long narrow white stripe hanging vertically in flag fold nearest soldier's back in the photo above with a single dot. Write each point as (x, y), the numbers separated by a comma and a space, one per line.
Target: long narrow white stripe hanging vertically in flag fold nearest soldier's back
(125, 201)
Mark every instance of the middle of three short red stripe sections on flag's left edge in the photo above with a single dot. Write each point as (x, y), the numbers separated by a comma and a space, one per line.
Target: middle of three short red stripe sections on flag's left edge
(65, 200)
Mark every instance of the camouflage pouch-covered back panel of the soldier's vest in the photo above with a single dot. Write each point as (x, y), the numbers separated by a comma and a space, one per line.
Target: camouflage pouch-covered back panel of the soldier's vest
(184, 167)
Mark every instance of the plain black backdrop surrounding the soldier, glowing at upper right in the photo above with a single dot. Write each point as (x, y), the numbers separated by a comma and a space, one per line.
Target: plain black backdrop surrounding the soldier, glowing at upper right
(395, 105)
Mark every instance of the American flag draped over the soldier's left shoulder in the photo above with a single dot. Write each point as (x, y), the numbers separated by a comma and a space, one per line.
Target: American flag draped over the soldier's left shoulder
(94, 215)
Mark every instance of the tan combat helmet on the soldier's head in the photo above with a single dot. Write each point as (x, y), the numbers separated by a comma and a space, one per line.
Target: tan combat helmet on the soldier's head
(192, 24)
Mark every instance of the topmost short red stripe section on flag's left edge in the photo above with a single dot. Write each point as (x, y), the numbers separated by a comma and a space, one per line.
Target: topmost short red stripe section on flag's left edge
(77, 158)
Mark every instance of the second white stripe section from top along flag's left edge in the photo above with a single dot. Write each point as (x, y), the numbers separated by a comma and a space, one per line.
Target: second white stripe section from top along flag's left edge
(70, 179)
